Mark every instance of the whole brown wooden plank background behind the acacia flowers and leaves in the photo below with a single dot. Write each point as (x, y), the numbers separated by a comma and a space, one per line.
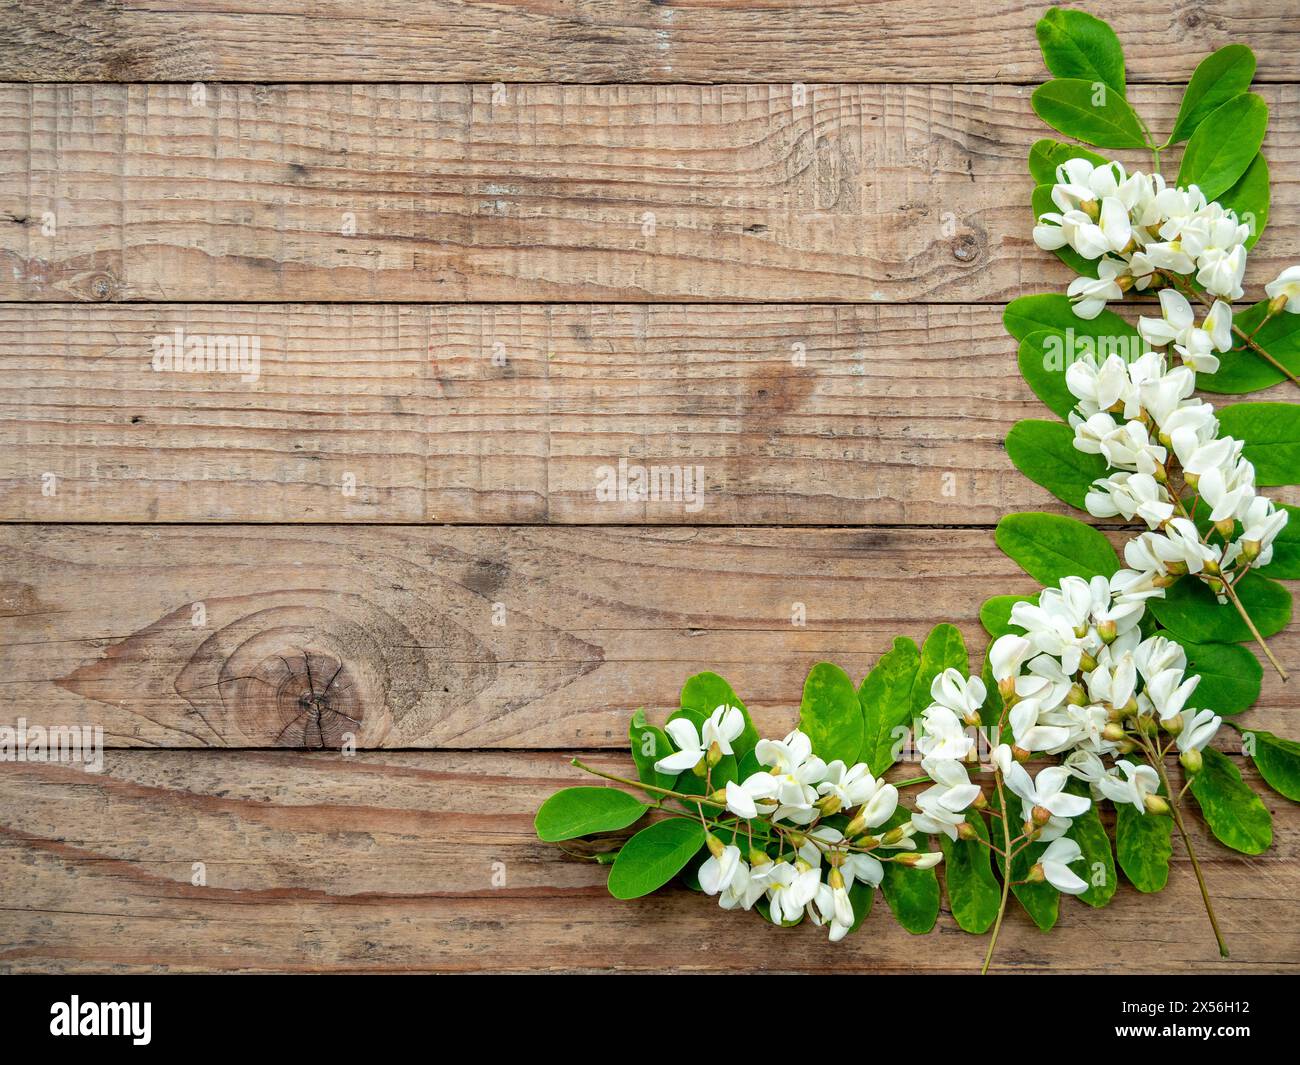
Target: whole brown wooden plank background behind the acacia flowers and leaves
(388, 193)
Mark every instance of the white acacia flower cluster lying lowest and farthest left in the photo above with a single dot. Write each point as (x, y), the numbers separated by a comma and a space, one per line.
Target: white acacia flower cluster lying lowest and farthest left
(786, 806)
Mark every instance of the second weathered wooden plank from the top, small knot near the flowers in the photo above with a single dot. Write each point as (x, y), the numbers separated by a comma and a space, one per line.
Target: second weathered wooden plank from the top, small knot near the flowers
(853, 193)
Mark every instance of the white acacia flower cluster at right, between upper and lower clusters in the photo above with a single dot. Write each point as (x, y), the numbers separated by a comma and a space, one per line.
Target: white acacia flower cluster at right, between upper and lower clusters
(1169, 460)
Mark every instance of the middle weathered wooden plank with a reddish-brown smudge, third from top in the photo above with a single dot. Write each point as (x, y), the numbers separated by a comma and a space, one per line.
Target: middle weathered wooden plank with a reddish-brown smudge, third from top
(482, 414)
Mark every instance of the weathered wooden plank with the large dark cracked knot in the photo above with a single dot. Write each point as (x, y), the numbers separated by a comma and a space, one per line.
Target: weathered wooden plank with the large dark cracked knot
(463, 637)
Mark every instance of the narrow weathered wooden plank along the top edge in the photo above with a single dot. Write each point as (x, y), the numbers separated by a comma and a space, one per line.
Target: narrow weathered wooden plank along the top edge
(604, 41)
